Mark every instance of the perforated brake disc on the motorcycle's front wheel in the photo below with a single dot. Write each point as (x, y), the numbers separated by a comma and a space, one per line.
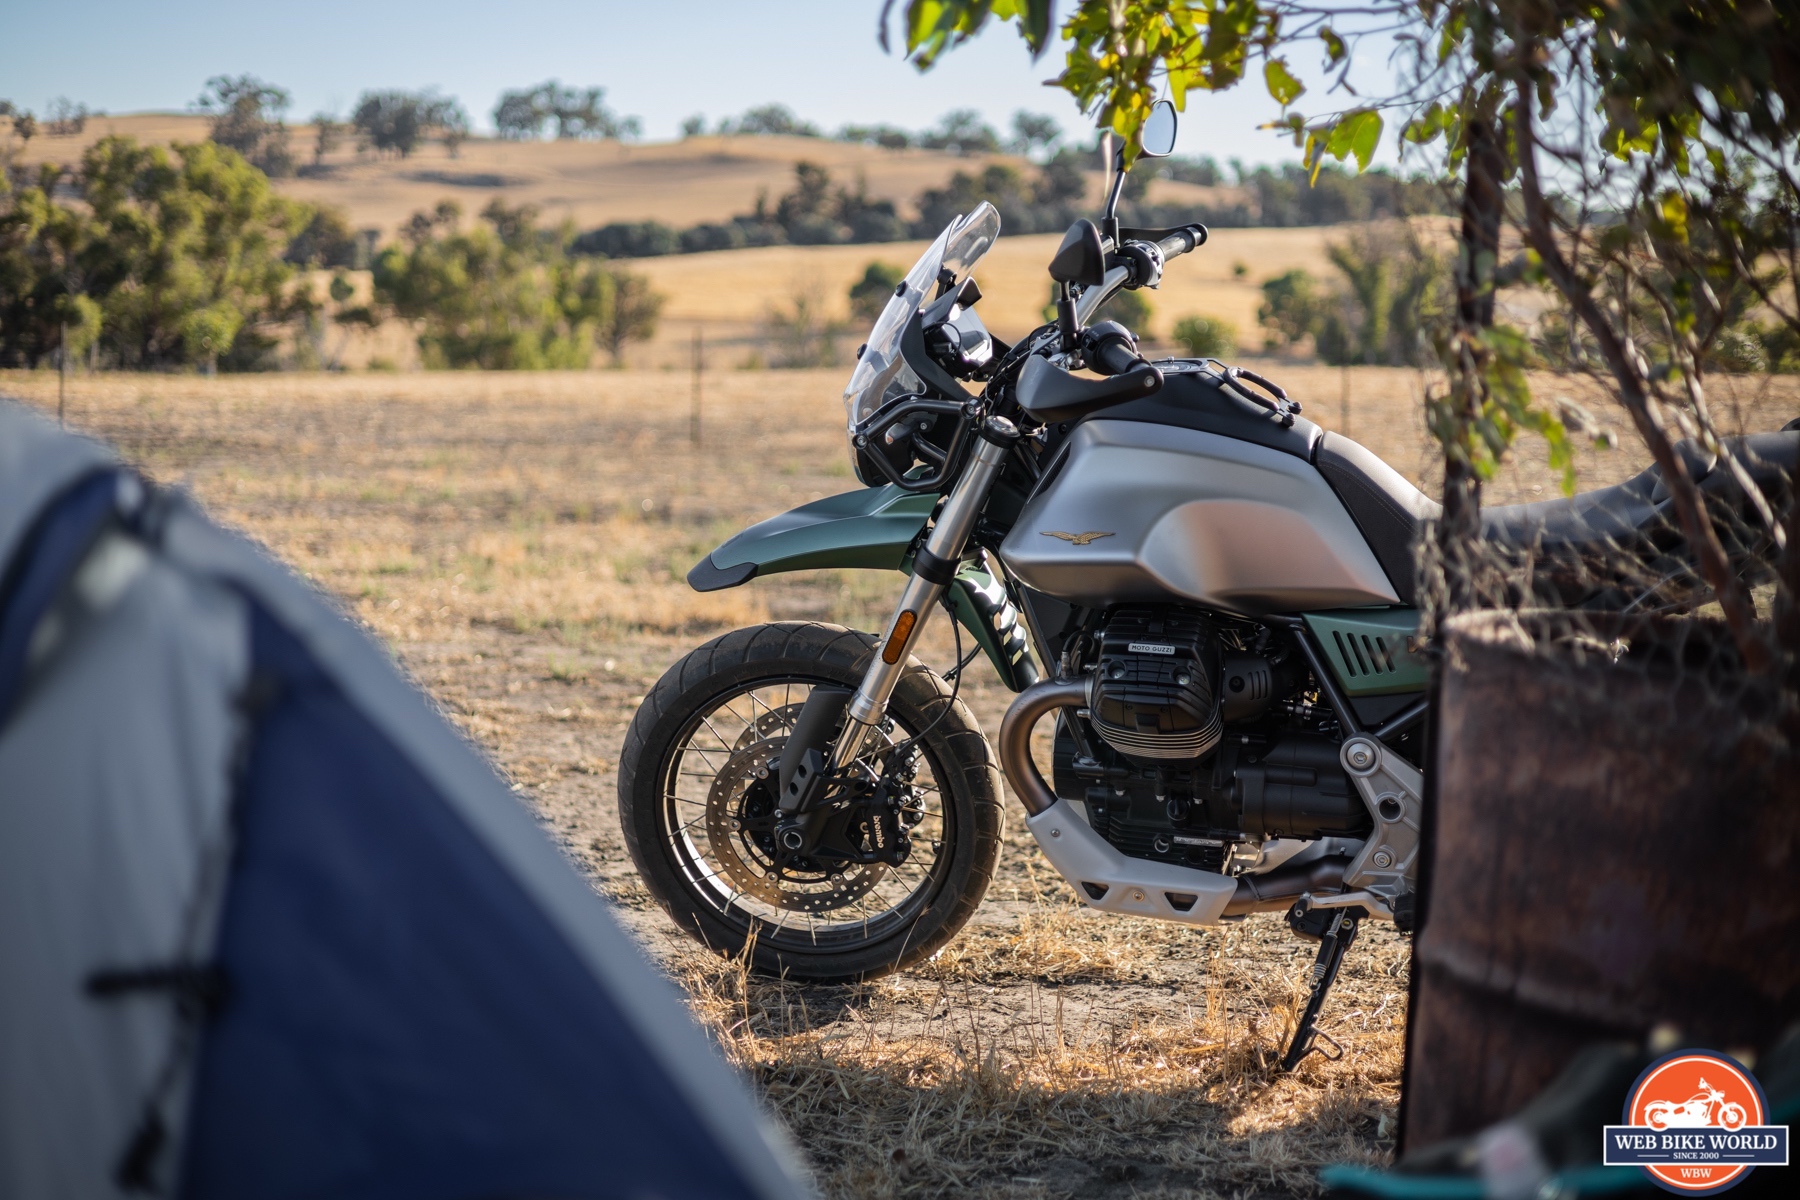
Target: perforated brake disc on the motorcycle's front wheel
(730, 834)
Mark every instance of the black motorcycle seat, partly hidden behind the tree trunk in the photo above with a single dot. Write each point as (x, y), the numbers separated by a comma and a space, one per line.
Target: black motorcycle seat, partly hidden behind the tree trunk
(1633, 517)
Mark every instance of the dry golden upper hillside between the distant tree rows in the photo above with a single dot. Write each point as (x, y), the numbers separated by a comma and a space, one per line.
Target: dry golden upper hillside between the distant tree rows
(703, 179)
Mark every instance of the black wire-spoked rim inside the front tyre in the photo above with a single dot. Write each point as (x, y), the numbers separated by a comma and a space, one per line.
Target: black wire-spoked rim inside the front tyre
(706, 771)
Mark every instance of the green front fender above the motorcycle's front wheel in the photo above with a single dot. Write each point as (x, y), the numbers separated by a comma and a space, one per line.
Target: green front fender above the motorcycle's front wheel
(876, 530)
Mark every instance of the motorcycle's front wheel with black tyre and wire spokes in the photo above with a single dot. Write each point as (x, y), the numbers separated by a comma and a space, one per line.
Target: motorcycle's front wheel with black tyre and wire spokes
(694, 784)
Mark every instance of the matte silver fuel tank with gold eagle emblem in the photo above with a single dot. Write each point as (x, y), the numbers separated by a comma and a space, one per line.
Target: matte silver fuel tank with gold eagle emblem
(1144, 512)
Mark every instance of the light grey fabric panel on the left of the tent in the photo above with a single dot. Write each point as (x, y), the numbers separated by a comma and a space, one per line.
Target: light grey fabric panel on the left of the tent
(114, 785)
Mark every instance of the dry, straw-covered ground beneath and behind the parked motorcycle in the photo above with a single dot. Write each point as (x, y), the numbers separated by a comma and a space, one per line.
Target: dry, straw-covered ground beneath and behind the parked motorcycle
(519, 541)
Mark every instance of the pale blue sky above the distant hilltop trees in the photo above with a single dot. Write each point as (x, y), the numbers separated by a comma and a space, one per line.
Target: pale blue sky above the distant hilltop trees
(661, 62)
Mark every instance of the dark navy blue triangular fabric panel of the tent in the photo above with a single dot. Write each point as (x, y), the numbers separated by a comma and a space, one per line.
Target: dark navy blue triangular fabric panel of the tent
(373, 947)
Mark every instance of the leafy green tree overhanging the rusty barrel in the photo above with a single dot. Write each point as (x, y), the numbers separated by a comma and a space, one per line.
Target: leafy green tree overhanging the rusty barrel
(1651, 152)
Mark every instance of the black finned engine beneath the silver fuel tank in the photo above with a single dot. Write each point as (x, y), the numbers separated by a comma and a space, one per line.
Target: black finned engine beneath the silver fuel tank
(1201, 737)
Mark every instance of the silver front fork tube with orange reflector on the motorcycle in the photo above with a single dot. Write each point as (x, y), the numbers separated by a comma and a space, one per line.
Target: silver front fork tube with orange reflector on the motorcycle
(933, 569)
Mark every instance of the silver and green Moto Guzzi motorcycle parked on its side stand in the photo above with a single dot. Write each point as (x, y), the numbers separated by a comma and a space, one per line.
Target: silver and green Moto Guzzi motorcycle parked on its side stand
(1210, 596)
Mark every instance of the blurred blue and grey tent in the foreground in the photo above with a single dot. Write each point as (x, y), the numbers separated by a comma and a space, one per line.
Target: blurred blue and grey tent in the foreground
(269, 926)
